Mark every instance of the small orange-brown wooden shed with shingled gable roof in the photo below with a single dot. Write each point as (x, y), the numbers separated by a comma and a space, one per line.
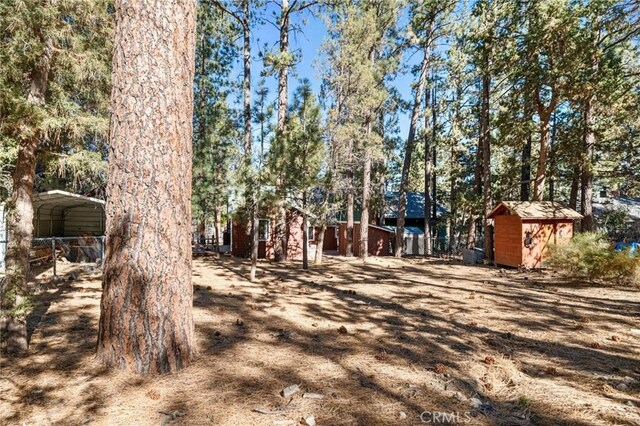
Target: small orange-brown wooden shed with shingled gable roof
(524, 230)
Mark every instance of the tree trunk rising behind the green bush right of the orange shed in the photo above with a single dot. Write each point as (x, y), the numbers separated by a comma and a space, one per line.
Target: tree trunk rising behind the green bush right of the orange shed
(589, 140)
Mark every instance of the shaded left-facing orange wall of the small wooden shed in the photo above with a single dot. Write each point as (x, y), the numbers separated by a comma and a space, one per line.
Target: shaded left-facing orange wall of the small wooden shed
(508, 241)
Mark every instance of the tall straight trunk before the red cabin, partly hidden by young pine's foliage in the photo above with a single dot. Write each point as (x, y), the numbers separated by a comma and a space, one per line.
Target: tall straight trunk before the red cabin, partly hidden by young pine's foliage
(283, 87)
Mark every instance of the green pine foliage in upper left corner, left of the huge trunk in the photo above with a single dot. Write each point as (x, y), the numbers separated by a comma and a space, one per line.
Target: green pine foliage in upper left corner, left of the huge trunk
(73, 122)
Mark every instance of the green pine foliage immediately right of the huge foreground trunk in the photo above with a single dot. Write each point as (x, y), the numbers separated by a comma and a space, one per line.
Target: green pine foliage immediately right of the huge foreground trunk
(216, 130)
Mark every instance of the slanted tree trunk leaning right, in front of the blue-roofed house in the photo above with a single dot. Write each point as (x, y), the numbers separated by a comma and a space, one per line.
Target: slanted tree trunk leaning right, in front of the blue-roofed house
(408, 152)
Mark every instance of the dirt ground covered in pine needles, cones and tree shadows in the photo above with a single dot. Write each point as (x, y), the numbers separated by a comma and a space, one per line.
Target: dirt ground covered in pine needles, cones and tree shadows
(383, 342)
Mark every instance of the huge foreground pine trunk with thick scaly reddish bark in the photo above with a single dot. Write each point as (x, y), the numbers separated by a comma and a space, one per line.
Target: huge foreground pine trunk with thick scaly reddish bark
(146, 321)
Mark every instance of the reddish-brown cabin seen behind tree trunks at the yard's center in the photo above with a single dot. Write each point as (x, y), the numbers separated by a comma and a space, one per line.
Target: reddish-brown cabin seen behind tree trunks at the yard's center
(241, 236)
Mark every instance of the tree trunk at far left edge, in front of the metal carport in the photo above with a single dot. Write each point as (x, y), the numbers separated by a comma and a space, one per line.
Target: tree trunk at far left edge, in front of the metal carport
(14, 296)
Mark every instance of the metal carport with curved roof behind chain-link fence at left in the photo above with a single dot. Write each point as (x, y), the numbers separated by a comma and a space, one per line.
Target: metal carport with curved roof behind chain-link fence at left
(70, 217)
